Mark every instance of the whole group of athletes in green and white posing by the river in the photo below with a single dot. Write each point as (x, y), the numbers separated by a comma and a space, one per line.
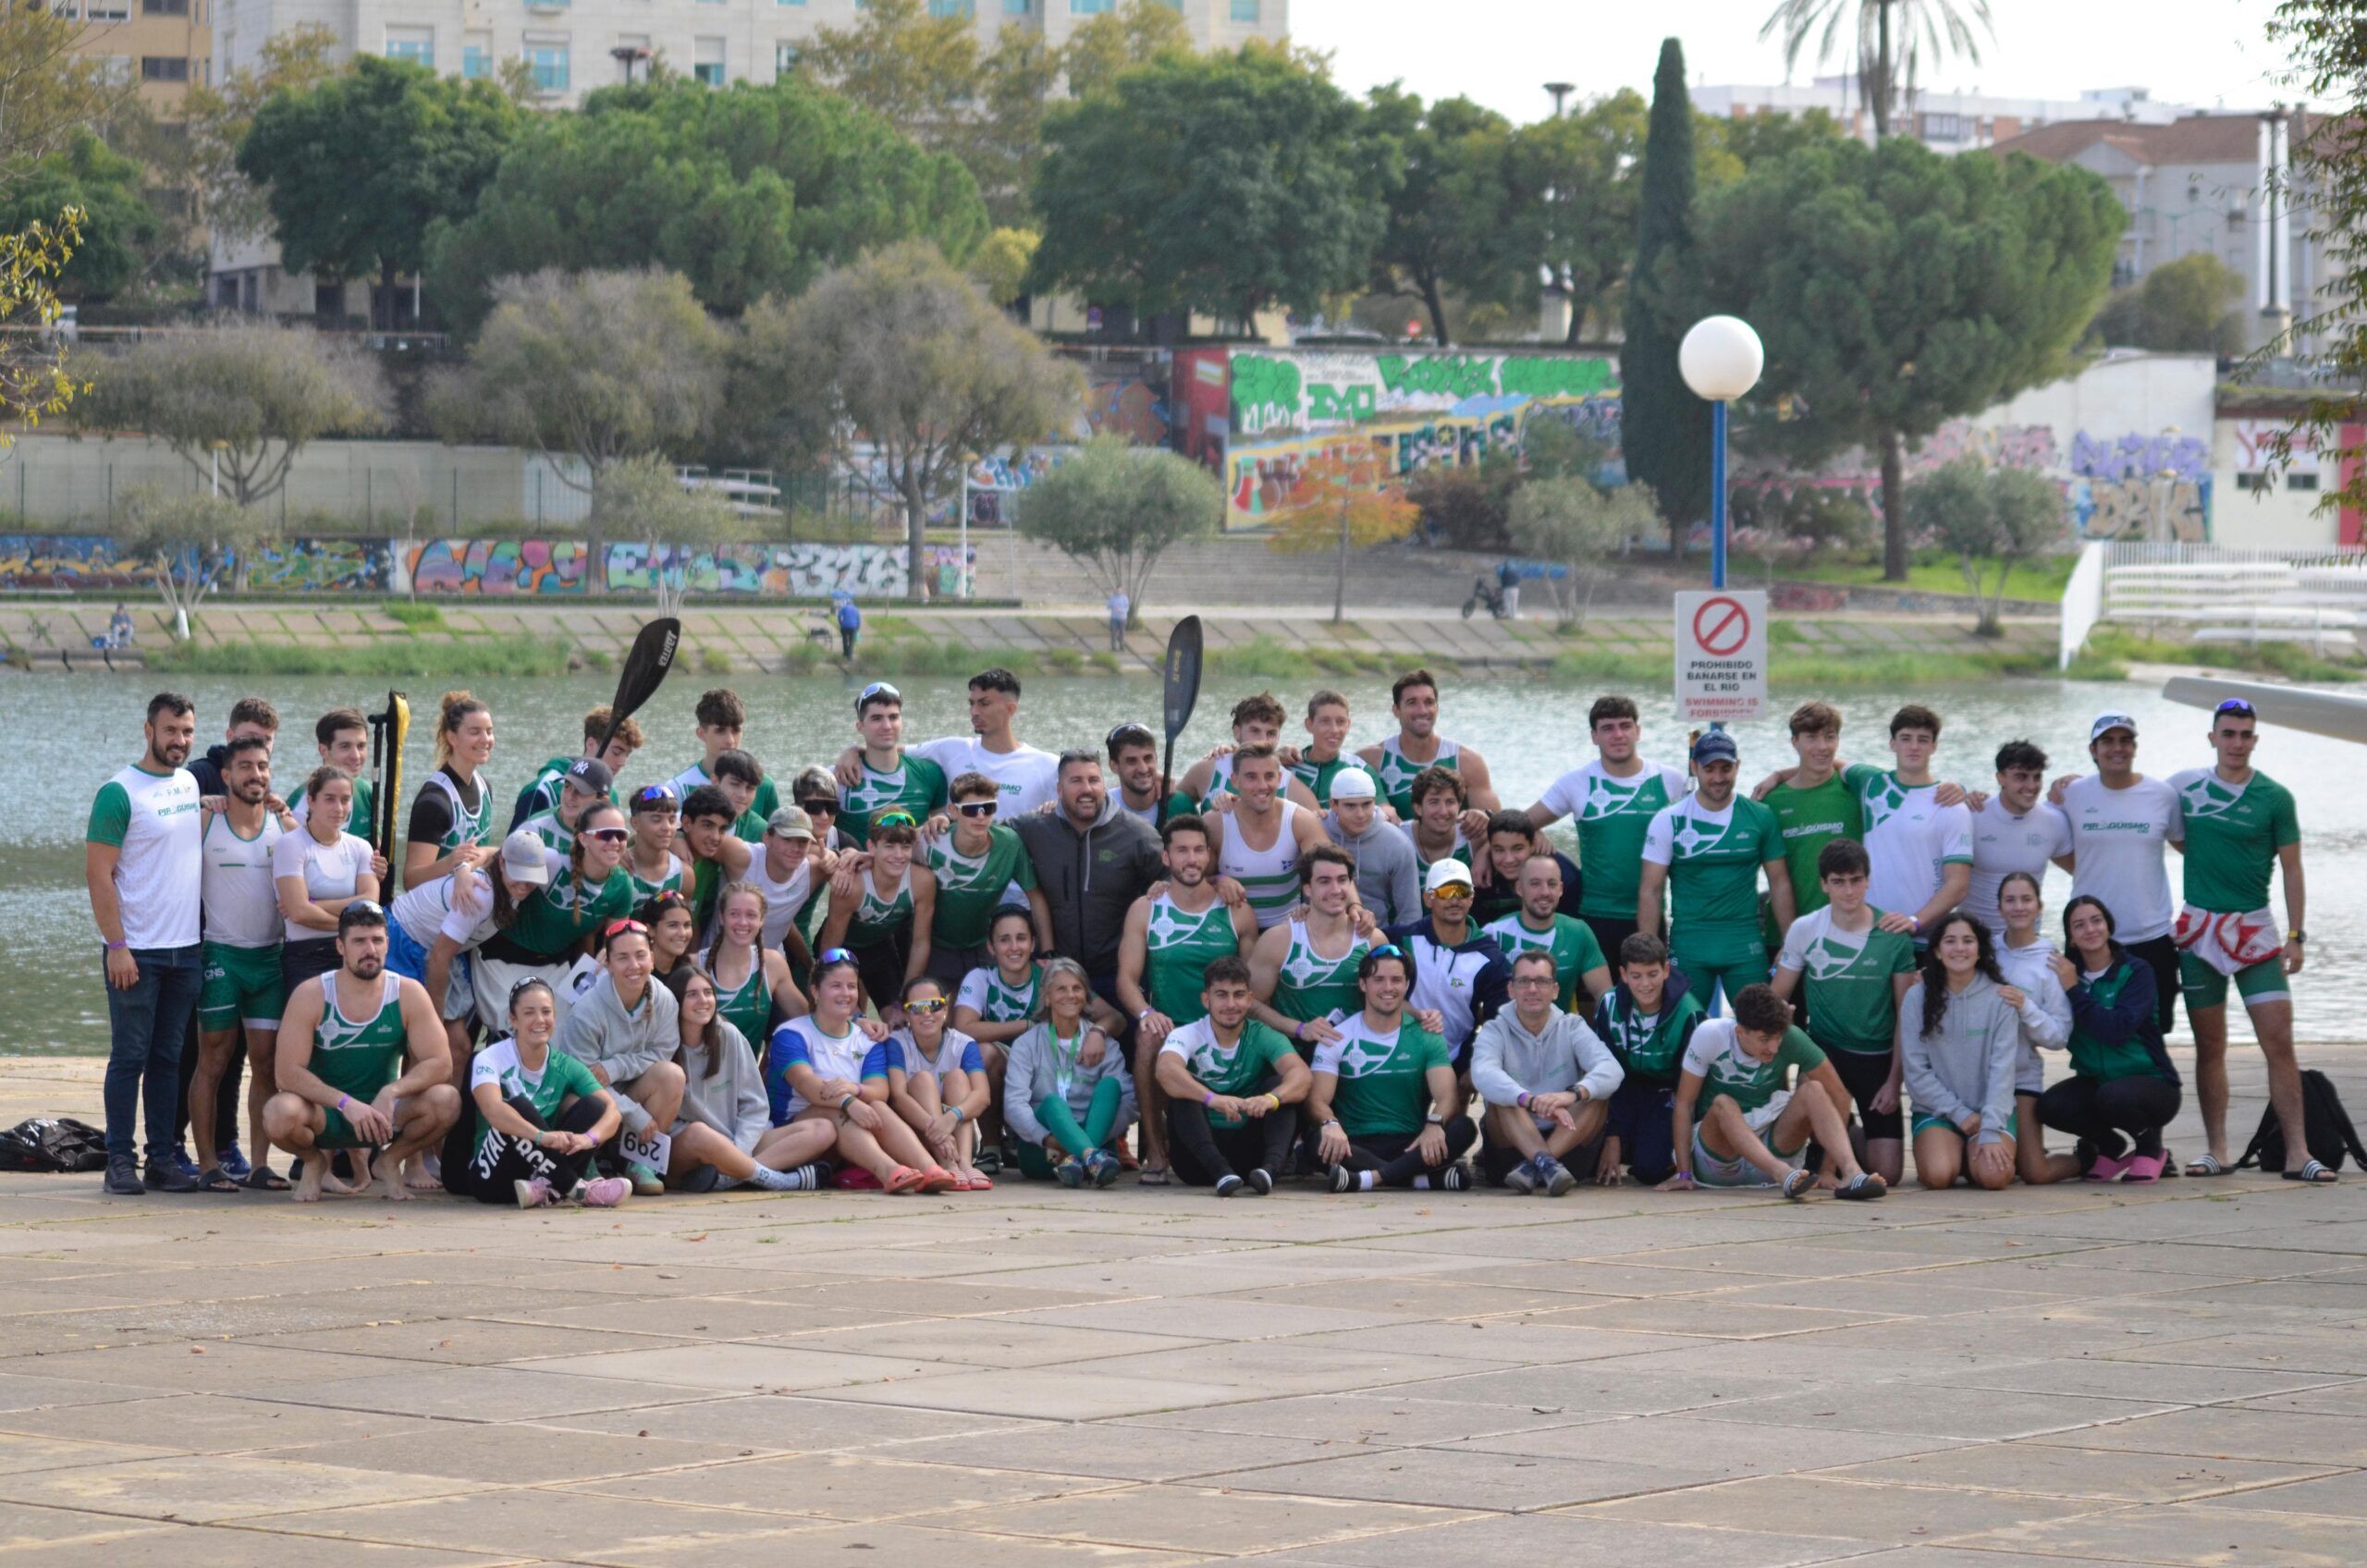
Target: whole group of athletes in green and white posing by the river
(943, 963)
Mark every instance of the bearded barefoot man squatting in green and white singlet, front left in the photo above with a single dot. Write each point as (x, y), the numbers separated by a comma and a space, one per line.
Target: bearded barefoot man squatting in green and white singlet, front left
(363, 1065)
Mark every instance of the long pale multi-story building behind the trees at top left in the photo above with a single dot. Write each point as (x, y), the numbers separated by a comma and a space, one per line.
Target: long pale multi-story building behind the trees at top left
(576, 46)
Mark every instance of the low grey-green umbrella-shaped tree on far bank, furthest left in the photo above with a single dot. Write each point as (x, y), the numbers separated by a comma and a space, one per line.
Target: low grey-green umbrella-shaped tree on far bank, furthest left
(238, 401)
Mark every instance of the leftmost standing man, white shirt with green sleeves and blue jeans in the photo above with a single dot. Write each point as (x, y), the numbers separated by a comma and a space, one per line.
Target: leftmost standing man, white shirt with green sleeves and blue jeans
(143, 861)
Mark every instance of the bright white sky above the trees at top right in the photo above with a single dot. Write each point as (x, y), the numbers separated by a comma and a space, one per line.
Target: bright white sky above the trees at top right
(2200, 53)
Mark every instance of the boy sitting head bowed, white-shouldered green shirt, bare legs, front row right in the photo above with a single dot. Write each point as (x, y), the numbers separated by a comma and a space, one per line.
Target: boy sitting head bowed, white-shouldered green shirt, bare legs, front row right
(1753, 1131)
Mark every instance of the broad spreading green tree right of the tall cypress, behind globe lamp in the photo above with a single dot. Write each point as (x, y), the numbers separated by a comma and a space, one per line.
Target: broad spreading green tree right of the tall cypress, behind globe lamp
(1897, 288)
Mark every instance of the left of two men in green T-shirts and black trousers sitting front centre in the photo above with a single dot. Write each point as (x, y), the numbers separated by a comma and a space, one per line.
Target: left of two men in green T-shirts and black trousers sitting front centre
(1232, 1088)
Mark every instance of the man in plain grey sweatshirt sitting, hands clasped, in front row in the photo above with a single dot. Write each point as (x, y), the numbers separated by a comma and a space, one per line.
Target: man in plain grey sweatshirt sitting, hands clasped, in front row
(1547, 1081)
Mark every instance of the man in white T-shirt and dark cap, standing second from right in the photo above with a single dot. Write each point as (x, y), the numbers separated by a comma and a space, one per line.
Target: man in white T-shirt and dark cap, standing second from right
(2120, 830)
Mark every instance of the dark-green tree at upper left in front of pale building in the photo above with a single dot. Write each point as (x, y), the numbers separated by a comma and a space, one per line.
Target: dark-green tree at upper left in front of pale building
(342, 212)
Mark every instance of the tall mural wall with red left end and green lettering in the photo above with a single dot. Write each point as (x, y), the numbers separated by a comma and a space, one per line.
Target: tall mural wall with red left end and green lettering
(1419, 409)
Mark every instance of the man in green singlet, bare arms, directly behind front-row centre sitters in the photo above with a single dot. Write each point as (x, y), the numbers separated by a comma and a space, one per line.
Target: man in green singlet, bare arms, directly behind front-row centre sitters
(1173, 937)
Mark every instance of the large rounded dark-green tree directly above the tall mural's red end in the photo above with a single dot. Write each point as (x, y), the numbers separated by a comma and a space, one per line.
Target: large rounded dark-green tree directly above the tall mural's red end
(1211, 184)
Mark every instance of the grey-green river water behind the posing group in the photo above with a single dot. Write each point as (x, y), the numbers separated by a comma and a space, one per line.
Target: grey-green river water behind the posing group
(70, 733)
